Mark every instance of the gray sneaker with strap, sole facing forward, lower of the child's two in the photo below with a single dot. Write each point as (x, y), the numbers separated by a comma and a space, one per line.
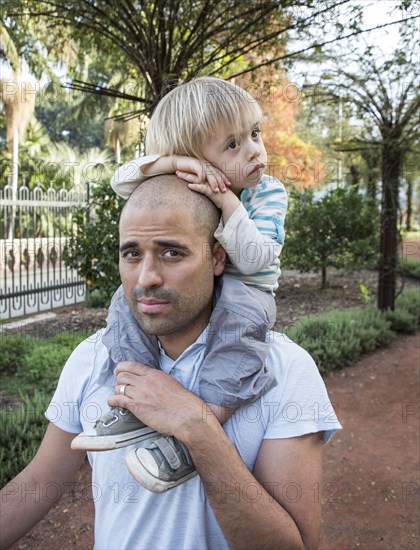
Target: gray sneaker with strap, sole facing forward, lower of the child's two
(163, 464)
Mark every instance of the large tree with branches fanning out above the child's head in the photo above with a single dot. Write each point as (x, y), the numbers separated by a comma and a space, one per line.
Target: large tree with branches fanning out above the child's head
(168, 41)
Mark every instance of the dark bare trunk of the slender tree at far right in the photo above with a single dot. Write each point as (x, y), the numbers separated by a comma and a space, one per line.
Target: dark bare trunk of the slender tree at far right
(391, 166)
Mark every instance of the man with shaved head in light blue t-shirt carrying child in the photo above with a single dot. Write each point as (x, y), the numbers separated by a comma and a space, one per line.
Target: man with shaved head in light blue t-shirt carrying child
(257, 474)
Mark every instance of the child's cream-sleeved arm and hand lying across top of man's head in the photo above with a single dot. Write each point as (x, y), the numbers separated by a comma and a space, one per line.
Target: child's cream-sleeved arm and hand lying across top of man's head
(131, 174)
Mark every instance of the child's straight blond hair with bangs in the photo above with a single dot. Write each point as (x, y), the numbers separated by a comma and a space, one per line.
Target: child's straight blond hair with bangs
(193, 112)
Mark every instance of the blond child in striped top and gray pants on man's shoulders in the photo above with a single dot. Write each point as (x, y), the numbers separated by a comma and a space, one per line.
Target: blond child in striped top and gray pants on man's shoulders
(207, 132)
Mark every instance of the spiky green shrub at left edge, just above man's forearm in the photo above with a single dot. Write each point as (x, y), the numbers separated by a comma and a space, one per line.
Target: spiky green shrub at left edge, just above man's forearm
(22, 430)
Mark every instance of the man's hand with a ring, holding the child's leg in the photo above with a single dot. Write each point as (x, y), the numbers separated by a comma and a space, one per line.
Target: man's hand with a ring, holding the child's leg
(157, 399)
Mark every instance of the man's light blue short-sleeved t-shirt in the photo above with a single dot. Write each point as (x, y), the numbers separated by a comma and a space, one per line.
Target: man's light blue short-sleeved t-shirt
(127, 516)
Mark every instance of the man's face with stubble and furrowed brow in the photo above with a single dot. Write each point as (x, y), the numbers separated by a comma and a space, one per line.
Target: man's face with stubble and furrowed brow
(166, 273)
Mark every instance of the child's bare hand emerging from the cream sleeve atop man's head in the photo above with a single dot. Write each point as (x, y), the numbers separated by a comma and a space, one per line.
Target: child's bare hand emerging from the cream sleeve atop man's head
(192, 170)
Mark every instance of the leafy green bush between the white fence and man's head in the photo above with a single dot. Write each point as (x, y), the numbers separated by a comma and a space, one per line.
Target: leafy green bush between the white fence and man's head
(93, 250)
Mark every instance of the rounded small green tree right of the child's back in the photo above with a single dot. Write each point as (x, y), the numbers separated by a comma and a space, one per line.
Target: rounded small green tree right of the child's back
(339, 230)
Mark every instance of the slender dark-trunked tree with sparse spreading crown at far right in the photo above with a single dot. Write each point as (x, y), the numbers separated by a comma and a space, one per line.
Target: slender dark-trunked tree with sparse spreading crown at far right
(386, 92)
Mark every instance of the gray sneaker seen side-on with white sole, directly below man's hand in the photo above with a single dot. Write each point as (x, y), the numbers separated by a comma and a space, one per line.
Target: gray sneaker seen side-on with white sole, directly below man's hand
(117, 428)
